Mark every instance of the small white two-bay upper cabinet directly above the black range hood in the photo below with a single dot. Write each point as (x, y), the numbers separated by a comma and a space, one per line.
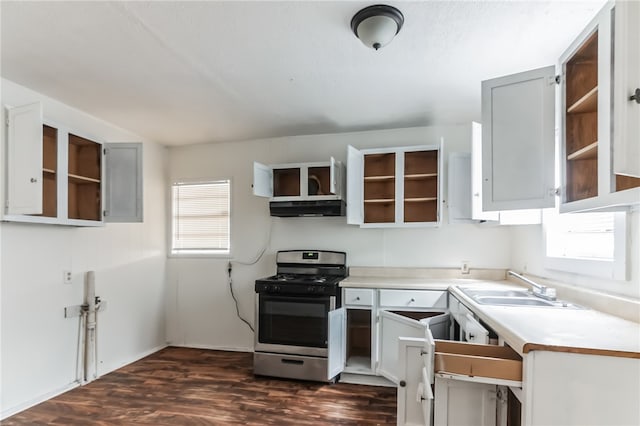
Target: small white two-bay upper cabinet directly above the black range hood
(299, 181)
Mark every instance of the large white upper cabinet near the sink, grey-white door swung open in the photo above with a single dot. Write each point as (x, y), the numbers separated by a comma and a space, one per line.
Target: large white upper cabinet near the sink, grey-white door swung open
(518, 132)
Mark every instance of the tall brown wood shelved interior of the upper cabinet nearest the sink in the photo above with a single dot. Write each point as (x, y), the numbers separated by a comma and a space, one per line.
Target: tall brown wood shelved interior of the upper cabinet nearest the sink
(581, 132)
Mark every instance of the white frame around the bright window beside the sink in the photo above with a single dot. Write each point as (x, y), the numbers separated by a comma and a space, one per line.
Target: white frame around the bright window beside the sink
(616, 269)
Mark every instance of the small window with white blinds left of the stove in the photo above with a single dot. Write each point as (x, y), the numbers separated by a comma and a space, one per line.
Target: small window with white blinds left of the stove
(200, 218)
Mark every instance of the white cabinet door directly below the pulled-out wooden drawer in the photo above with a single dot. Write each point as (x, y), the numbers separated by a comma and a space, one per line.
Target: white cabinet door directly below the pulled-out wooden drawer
(464, 403)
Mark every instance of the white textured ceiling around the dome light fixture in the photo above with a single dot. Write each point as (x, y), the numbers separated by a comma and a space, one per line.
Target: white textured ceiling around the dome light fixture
(182, 72)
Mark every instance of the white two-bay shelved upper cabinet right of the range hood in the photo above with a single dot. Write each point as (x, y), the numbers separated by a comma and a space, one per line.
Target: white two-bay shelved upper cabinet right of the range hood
(395, 187)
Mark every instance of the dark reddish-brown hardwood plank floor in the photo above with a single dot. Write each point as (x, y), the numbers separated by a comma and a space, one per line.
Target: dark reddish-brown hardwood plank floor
(179, 386)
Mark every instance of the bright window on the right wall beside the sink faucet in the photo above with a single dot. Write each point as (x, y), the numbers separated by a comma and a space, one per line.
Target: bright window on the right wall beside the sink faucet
(591, 244)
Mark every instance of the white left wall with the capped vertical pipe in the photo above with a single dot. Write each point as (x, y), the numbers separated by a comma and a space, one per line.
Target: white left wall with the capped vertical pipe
(38, 345)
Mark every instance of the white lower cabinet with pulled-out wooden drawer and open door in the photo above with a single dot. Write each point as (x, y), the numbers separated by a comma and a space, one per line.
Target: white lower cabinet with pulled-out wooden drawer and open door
(460, 383)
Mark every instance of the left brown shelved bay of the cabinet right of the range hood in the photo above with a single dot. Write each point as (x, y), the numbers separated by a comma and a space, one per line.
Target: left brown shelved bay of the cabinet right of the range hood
(379, 188)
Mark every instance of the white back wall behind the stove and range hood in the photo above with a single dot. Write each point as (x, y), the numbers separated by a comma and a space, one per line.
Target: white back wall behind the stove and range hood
(201, 311)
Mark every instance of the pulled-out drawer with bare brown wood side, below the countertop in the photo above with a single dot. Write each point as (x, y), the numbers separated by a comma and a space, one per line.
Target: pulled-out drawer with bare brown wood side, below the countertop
(477, 362)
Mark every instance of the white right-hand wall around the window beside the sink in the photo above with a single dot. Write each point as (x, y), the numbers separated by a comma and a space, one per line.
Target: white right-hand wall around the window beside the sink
(529, 249)
